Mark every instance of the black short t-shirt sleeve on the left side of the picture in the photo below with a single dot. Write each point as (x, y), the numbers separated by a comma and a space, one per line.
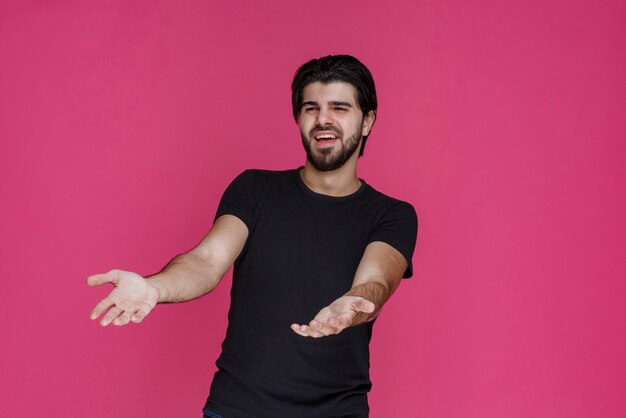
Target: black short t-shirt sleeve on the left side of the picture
(239, 199)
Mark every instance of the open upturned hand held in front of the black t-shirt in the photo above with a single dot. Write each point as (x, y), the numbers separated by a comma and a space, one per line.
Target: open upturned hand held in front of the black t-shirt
(336, 317)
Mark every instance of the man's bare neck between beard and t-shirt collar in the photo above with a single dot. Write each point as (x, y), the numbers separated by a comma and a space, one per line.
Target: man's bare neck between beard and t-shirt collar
(340, 182)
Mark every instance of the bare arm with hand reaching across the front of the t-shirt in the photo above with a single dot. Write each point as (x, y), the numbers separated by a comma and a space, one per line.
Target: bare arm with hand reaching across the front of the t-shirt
(378, 275)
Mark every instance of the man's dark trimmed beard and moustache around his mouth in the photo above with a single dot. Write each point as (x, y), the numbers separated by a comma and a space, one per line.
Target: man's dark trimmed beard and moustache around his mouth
(331, 158)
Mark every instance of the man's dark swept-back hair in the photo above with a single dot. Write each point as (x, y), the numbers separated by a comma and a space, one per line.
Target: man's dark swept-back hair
(336, 68)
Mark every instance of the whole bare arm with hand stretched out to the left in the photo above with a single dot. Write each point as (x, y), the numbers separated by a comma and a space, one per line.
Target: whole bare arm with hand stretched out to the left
(186, 277)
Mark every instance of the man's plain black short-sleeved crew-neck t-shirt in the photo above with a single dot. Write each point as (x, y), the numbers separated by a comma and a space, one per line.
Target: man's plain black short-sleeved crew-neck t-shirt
(302, 253)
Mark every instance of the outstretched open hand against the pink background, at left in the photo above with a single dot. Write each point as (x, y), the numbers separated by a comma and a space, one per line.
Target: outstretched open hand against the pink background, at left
(132, 298)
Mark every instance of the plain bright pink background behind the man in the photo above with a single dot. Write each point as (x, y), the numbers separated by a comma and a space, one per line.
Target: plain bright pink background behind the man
(121, 123)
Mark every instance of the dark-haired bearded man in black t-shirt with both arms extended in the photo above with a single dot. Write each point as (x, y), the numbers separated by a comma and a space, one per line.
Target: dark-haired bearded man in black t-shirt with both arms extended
(317, 252)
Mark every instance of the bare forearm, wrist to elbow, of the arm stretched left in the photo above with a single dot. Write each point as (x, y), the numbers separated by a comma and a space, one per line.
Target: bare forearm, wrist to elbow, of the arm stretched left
(186, 277)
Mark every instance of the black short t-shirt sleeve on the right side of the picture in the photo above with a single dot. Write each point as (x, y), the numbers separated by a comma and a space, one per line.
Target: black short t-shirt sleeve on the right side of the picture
(398, 228)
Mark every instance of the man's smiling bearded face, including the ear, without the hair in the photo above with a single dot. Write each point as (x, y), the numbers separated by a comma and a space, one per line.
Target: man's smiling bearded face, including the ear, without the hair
(331, 124)
